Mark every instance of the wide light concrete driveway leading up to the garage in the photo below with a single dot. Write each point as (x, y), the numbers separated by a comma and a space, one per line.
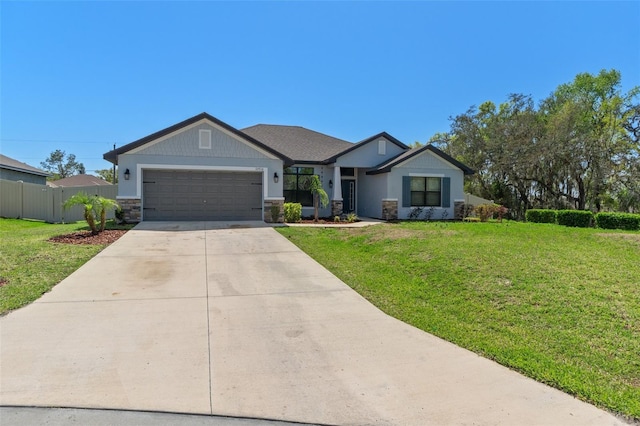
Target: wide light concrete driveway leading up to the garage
(234, 320)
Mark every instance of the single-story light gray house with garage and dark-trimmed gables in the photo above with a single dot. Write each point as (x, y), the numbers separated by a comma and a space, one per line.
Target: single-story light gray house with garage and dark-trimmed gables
(205, 169)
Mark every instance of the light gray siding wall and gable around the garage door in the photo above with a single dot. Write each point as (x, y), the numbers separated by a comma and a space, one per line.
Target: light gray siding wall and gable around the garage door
(181, 151)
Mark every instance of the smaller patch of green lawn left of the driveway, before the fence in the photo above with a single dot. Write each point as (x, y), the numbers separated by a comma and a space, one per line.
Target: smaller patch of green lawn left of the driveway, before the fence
(30, 265)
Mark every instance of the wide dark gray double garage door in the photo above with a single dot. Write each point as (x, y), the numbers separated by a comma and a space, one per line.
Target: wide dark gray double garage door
(201, 195)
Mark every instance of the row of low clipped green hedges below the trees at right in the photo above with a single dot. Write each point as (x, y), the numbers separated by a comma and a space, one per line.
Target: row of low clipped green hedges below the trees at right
(585, 219)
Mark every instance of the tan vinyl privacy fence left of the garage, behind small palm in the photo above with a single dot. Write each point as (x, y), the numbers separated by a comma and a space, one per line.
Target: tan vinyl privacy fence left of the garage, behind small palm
(31, 201)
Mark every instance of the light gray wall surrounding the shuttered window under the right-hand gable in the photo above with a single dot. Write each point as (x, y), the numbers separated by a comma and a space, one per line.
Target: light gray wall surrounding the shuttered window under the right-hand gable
(427, 163)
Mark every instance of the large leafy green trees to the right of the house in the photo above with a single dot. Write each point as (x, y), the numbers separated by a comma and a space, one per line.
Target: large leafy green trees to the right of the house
(578, 148)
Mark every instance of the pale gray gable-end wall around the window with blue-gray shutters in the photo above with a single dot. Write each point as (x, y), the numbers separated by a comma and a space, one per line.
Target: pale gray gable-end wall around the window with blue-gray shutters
(428, 164)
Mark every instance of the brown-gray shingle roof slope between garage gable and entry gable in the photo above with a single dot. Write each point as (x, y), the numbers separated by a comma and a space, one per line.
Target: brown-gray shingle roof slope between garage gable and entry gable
(302, 145)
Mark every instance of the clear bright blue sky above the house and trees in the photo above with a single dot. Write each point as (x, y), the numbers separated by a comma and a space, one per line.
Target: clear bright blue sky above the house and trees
(81, 76)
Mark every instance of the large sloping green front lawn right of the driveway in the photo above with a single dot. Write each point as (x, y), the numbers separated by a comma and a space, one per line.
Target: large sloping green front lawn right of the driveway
(561, 305)
